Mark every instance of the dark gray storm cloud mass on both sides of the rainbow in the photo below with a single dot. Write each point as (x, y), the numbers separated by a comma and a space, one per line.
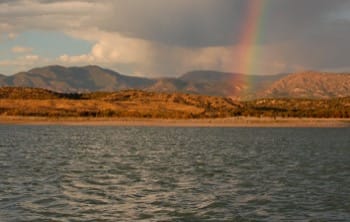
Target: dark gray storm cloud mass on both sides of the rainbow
(304, 33)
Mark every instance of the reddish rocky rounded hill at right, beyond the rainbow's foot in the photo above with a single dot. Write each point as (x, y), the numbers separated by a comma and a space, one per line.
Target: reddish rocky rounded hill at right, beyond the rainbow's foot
(310, 85)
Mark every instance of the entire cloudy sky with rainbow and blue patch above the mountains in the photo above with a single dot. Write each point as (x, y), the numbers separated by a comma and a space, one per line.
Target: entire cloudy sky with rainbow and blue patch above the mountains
(155, 38)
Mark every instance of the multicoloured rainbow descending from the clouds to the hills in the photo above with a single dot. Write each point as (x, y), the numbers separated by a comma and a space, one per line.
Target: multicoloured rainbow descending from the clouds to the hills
(251, 32)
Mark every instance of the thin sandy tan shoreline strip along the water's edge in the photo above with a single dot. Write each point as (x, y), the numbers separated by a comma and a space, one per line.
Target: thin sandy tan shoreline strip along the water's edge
(215, 122)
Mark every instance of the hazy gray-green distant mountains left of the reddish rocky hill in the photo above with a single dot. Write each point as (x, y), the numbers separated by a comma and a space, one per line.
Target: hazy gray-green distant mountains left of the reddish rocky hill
(94, 78)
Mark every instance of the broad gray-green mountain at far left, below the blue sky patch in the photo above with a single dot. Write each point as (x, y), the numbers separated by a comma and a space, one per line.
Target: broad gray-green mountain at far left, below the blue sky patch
(76, 79)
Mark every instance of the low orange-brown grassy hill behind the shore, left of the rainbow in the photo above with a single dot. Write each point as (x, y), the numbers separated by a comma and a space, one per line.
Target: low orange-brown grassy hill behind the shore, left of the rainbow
(18, 101)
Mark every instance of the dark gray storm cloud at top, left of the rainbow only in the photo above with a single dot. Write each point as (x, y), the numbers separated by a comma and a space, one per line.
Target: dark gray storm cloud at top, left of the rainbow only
(196, 23)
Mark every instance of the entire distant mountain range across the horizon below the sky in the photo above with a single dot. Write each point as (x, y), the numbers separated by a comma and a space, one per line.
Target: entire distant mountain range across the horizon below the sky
(94, 78)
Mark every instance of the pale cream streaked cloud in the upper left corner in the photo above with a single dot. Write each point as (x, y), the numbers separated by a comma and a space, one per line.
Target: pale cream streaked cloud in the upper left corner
(20, 16)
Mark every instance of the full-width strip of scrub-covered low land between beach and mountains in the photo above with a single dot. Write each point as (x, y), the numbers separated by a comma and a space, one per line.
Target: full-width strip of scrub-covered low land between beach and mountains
(17, 101)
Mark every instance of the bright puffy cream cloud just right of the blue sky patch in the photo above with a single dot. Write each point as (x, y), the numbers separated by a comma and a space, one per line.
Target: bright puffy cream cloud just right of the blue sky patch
(141, 56)
